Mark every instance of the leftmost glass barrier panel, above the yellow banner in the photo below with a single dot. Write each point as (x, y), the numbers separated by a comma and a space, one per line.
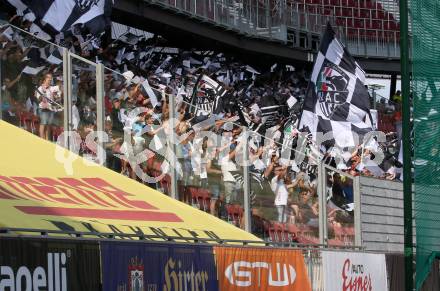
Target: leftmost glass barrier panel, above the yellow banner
(32, 83)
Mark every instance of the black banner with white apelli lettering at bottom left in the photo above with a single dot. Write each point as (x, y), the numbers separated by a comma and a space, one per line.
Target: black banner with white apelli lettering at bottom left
(55, 265)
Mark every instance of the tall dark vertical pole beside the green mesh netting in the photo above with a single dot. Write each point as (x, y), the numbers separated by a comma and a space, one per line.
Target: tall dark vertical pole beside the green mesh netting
(406, 140)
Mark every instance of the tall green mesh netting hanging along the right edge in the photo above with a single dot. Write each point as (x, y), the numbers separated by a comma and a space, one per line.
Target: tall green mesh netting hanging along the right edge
(425, 17)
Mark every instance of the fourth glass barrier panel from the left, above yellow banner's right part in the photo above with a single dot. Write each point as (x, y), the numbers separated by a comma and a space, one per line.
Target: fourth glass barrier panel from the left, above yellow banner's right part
(210, 155)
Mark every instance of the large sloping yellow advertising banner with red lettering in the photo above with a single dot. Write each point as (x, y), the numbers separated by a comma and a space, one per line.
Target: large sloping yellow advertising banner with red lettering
(45, 187)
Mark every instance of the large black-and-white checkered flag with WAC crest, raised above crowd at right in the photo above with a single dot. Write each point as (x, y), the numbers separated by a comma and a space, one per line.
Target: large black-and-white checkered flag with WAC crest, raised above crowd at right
(337, 100)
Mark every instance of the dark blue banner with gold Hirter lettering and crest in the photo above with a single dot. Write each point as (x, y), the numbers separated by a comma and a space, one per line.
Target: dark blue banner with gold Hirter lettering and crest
(157, 267)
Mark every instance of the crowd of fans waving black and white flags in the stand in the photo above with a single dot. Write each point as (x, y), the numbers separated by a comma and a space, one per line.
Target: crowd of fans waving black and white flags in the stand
(142, 72)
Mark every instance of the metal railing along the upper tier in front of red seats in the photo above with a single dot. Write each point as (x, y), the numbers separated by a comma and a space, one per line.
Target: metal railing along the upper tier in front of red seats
(284, 22)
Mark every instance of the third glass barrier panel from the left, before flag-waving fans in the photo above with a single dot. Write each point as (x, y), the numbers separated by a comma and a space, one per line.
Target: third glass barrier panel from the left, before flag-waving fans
(138, 132)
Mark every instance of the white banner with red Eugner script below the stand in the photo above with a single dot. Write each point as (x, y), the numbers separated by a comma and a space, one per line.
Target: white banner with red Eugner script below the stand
(349, 271)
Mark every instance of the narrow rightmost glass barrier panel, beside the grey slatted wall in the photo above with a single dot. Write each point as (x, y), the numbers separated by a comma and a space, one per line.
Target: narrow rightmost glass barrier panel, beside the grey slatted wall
(340, 208)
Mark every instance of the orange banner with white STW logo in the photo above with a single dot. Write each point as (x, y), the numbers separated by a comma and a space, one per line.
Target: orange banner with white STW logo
(247, 269)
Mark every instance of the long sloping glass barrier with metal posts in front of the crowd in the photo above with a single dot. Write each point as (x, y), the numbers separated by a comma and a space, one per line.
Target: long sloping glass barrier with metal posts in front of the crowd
(88, 96)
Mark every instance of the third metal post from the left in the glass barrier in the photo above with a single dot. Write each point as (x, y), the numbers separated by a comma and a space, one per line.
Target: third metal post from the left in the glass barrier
(172, 147)
